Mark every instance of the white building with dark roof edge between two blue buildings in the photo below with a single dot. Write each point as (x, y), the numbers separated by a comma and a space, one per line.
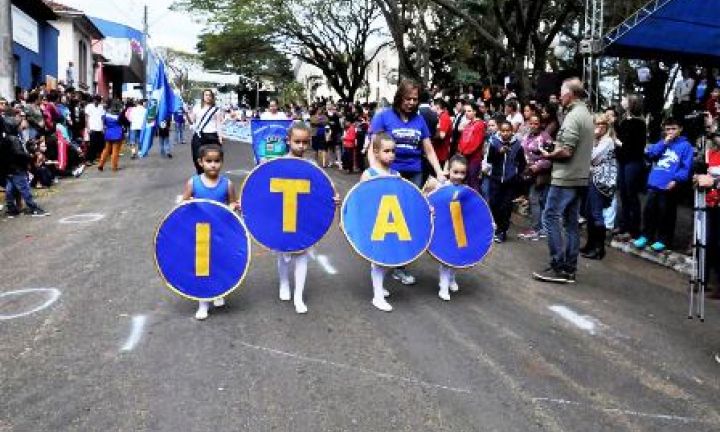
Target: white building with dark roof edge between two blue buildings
(76, 33)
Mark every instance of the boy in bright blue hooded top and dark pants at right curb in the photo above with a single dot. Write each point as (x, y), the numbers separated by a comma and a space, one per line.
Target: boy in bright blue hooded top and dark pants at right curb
(672, 162)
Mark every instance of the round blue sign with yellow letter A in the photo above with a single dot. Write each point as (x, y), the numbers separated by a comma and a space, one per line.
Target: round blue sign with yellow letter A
(387, 221)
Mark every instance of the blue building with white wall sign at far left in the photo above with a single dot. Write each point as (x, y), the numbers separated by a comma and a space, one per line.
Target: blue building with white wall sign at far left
(35, 44)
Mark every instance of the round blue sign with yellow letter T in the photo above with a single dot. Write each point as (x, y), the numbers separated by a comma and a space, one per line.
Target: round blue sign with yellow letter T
(288, 204)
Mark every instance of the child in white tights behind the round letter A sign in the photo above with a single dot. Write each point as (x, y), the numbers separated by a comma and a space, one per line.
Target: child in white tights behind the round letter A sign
(383, 147)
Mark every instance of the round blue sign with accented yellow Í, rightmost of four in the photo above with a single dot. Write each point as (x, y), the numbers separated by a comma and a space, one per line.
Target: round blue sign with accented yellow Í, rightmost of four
(463, 226)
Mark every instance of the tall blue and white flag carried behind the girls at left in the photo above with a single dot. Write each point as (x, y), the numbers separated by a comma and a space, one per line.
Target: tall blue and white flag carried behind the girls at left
(161, 103)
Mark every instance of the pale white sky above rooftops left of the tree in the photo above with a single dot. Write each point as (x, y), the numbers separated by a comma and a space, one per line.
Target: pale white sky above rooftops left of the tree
(166, 28)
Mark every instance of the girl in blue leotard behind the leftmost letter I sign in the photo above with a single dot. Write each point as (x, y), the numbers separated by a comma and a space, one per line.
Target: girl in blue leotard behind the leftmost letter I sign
(213, 186)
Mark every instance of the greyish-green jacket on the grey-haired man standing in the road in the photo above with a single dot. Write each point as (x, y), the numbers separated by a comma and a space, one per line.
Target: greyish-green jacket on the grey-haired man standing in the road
(577, 132)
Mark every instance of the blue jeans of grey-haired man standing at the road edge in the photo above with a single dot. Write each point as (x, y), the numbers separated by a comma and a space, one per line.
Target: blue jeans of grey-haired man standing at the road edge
(560, 218)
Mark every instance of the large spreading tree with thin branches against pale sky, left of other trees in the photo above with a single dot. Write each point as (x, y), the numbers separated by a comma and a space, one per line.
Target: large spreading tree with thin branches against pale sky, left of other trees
(332, 35)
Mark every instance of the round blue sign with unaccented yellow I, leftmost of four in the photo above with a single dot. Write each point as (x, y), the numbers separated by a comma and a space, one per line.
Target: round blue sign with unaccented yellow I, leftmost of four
(202, 250)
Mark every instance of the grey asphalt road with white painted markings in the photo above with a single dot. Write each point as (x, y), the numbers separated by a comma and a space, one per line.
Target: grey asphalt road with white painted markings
(116, 351)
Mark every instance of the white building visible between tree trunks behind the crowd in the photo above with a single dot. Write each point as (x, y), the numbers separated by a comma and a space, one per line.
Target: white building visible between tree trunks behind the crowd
(380, 78)
